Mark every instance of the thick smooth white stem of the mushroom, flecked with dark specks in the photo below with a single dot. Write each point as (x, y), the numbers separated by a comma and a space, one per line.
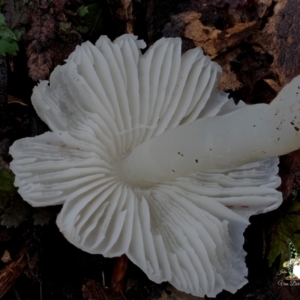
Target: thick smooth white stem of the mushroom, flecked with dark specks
(240, 137)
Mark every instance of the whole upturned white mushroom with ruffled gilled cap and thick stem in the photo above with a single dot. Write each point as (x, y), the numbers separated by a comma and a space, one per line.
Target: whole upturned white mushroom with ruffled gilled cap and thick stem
(150, 160)
